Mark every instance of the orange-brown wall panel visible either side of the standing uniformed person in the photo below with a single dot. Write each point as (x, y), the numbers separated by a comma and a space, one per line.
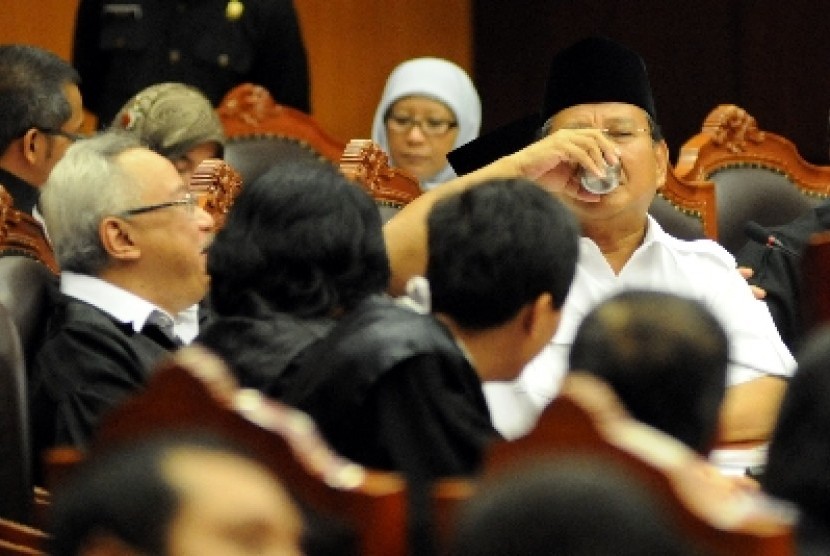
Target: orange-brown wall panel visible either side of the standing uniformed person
(352, 46)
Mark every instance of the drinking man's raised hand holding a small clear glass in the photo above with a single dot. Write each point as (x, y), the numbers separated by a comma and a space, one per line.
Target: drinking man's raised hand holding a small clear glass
(553, 162)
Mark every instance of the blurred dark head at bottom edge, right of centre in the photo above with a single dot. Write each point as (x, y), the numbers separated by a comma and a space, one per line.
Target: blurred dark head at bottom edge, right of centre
(566, 507)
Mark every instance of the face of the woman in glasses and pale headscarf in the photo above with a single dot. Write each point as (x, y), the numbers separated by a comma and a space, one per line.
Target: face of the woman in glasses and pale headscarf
(421, 132)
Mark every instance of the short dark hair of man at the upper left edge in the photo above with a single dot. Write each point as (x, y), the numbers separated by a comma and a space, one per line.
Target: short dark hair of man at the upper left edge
(31, 91)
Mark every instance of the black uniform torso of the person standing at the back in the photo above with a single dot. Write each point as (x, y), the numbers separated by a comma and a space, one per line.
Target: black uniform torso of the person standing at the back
(122, 46)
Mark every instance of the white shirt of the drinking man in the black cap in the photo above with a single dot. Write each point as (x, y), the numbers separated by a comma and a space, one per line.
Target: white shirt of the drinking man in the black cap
(701, 270)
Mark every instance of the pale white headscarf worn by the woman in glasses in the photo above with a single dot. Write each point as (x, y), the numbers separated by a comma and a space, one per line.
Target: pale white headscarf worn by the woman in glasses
(438, 79)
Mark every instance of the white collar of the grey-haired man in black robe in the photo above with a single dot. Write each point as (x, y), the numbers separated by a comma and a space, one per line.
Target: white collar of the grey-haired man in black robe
(125, 306)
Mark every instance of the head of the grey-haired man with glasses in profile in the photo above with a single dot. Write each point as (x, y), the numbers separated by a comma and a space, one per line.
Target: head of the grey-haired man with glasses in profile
(119, 211)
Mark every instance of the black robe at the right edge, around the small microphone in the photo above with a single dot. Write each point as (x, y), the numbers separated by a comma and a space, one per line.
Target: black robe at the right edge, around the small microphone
(779, 273)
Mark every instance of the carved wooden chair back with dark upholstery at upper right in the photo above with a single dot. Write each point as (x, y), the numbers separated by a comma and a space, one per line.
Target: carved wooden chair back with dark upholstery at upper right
(758, 175)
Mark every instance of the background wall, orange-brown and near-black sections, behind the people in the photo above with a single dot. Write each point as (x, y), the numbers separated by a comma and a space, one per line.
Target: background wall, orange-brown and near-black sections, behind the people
(769, 56)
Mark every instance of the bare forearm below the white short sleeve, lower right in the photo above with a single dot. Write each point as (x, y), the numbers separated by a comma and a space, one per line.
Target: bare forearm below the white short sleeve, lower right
(750, 410)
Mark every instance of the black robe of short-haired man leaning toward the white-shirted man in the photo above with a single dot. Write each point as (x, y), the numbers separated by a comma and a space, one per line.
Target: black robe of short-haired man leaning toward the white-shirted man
(390, 389)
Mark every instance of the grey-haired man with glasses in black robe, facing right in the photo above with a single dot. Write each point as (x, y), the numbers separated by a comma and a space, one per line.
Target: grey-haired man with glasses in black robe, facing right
(131, 242)
